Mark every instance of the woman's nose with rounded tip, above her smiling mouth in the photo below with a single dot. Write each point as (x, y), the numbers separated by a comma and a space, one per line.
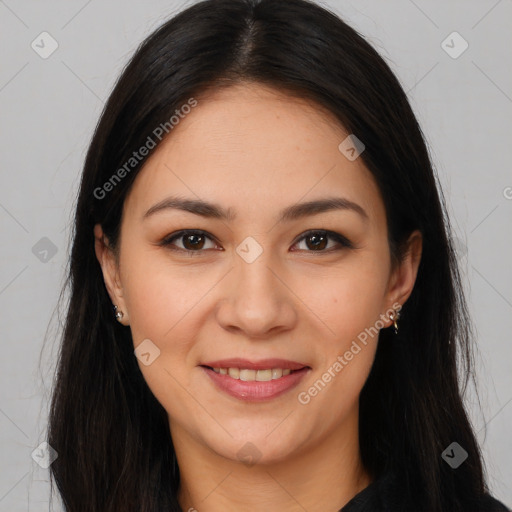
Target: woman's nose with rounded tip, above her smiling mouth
(257, 302)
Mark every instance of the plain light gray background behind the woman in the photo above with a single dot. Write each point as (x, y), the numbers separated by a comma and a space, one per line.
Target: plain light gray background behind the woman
(50, 107)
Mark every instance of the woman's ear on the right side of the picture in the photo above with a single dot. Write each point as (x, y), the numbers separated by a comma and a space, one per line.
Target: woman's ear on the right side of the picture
(403, 277)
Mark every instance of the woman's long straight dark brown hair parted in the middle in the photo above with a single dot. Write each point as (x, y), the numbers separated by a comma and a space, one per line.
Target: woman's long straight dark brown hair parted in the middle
(111, 434)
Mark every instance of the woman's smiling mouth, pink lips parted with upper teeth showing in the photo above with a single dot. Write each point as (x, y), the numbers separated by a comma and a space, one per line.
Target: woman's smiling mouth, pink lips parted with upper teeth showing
(255, 380)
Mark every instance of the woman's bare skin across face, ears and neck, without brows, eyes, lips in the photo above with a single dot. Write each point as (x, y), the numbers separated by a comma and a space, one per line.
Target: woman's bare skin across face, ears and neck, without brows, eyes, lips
(257, 151)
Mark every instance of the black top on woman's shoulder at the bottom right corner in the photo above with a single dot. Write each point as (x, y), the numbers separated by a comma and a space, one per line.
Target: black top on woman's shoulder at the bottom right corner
(378, 497)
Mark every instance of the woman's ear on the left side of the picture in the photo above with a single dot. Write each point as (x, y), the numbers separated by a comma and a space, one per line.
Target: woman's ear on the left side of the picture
(110, 269)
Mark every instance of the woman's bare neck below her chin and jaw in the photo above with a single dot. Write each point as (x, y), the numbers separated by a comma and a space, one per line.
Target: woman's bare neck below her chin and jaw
(322, 478)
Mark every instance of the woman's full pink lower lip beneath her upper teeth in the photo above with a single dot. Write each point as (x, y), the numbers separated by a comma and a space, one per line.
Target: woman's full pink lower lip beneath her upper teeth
(256, 391)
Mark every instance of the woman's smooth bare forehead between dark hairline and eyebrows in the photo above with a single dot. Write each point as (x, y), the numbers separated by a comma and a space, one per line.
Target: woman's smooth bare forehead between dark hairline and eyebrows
(252, 148)
